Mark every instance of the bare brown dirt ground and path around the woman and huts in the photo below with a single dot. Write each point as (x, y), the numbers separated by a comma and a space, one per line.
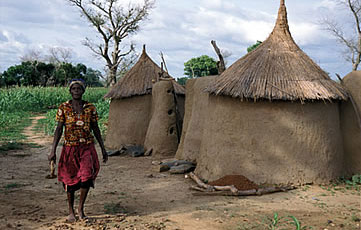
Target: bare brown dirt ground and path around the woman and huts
(129, 194)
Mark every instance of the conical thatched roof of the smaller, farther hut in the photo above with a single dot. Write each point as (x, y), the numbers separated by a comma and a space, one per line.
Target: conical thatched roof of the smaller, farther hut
(139, 80)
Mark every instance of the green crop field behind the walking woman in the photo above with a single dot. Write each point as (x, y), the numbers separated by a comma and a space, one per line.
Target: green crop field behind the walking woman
(17, 105)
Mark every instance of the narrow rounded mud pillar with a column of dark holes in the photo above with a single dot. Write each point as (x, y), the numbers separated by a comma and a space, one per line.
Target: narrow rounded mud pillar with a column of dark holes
(162, 131)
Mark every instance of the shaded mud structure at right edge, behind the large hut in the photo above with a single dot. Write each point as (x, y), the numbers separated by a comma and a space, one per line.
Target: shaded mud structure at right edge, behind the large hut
(351, 128)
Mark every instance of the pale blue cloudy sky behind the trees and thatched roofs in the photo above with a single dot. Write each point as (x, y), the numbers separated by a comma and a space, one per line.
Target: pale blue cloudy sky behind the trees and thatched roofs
(181, 30)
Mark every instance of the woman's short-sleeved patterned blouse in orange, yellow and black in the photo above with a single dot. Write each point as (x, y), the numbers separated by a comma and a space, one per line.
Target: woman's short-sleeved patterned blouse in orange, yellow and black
(77, 126)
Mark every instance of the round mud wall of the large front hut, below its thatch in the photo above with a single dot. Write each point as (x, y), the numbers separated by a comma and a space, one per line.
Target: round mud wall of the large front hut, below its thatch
(271, 142)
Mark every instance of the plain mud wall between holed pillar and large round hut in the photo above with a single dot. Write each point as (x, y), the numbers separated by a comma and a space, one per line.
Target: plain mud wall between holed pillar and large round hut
(196, 106)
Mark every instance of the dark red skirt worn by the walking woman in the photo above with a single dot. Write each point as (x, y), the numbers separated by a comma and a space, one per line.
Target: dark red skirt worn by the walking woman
(78, 164)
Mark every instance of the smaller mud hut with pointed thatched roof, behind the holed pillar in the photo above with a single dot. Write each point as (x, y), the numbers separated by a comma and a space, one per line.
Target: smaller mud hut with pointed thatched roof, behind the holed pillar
(130, 110)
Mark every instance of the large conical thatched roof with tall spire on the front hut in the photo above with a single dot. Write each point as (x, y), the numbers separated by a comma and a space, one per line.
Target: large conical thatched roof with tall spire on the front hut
(277, 70)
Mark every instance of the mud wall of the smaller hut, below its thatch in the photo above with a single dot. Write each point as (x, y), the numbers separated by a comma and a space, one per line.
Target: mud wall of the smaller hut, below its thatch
(128, 121)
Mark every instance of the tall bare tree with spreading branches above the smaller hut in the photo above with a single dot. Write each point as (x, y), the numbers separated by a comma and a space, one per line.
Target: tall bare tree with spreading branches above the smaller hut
(114, 23)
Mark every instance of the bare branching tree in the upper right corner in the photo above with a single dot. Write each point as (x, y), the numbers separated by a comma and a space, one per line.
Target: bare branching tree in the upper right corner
(353, 42)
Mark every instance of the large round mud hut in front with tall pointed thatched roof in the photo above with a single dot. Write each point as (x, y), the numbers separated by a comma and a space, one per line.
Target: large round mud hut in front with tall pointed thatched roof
(273, 116)
